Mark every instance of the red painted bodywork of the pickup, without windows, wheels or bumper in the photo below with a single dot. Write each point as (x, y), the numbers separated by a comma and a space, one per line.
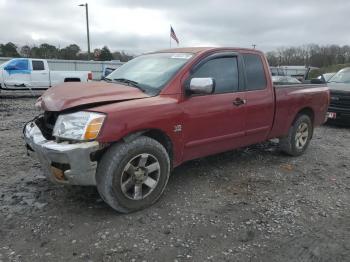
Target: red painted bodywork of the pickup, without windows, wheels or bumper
(210, 124)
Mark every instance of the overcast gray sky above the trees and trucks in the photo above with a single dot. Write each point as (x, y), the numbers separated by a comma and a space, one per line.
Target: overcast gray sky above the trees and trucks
(143, 25)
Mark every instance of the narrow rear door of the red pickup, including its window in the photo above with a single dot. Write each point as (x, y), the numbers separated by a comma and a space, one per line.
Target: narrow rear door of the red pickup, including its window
(259, 98)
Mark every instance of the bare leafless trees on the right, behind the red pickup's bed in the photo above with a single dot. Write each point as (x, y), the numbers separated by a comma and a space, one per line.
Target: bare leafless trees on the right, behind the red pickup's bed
(310, 55)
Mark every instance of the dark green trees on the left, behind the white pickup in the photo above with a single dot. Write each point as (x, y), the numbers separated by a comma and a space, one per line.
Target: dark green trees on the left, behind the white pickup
(70, 52)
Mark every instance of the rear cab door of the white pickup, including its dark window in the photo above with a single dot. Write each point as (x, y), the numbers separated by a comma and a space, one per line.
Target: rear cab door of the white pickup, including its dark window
(40, 75)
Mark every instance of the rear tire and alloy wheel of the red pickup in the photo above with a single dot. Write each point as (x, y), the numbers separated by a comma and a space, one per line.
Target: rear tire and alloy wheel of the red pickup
(293, 146)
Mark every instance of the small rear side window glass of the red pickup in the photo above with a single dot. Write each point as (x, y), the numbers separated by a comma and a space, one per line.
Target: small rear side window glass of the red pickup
(255, 73)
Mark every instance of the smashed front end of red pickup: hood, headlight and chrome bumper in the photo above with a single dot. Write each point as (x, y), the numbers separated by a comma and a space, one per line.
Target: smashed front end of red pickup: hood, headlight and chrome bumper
(64, 136)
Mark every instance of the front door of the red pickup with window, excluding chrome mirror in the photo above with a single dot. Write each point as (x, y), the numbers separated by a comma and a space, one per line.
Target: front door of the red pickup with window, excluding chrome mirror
(215, 122)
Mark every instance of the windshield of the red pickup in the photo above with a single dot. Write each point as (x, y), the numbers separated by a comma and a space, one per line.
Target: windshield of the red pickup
(150, 72)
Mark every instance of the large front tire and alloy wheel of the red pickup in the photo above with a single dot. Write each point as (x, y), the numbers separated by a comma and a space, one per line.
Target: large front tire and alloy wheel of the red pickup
(132, 176)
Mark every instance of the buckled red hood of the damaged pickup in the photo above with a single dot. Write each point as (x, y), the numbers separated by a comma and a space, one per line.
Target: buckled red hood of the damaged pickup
(71, 95)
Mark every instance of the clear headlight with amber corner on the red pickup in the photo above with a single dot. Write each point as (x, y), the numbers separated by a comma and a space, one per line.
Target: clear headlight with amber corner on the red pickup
(78, 126)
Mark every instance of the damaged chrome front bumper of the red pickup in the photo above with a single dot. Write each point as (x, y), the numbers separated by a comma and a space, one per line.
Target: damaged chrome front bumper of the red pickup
(63, 163)
